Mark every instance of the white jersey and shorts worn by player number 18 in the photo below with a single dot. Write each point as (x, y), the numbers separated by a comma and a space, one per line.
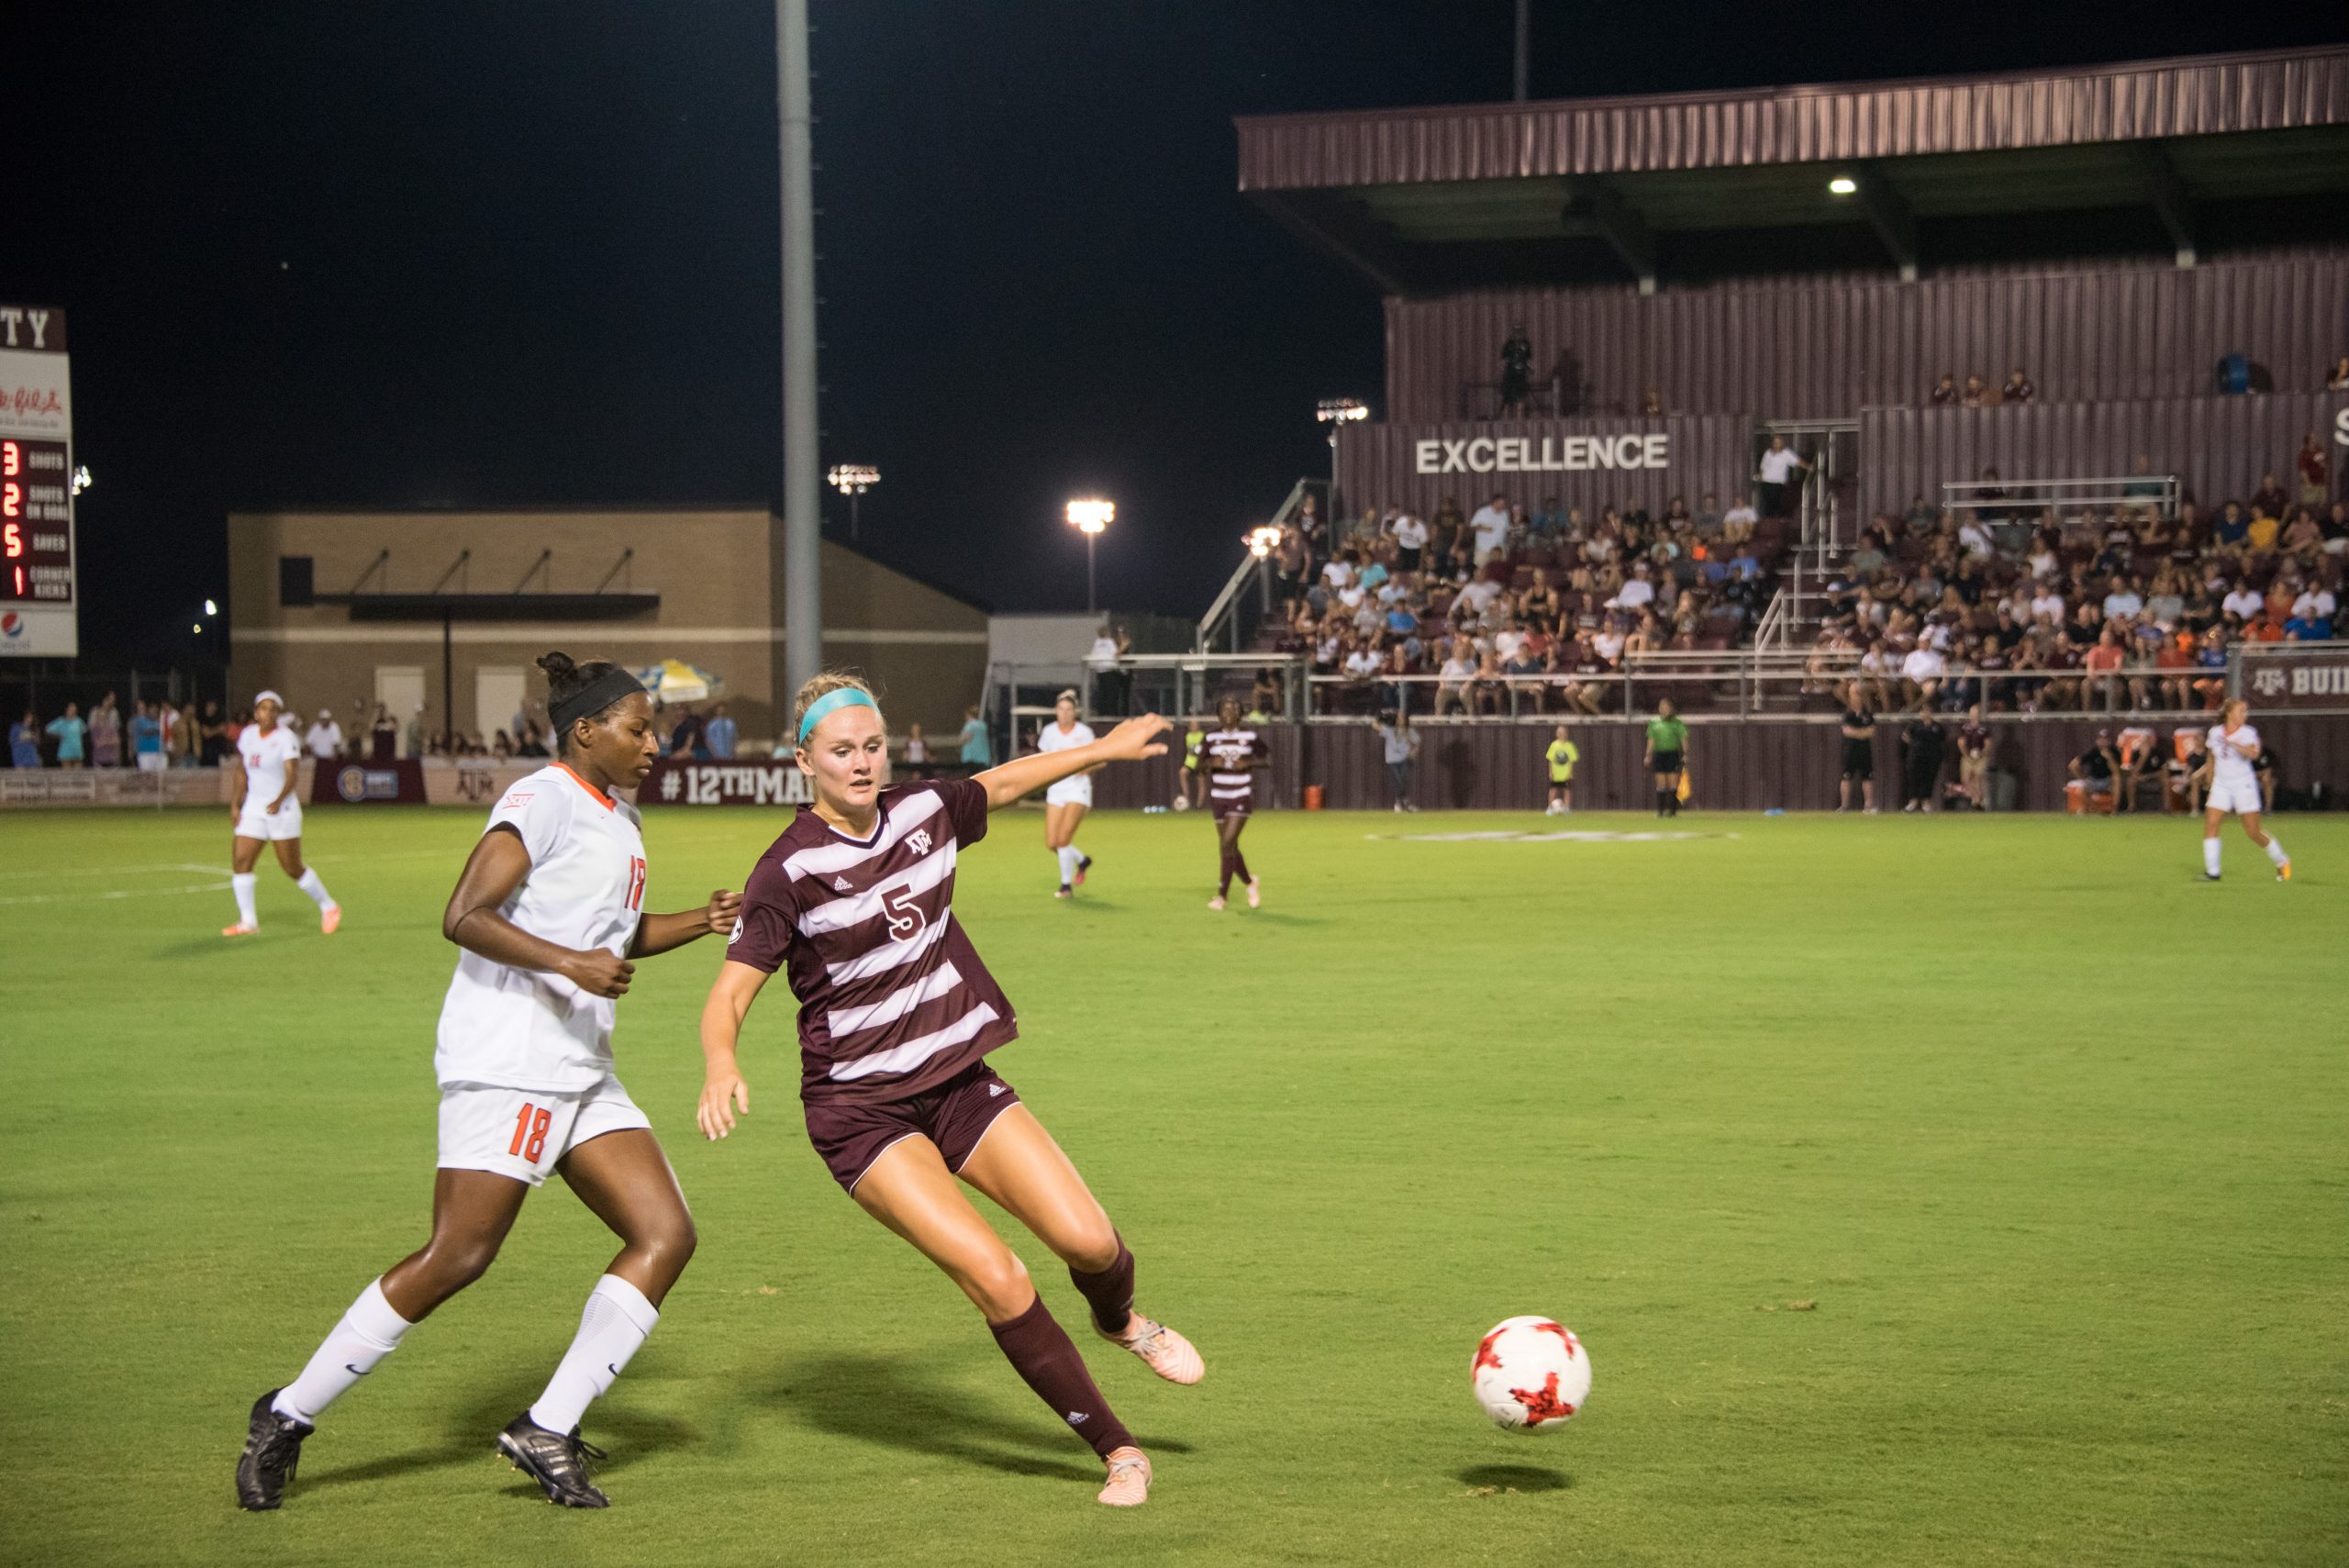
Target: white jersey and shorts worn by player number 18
(586, 891)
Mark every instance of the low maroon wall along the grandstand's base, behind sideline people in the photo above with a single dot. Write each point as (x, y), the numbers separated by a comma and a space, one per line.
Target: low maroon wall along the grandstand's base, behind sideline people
(1765, 764)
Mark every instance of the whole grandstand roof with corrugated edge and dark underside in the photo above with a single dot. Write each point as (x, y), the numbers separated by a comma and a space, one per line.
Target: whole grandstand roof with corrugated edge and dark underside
(1695, 184)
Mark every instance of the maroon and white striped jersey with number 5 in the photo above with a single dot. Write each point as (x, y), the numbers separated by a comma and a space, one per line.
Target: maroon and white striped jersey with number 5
(891, 996)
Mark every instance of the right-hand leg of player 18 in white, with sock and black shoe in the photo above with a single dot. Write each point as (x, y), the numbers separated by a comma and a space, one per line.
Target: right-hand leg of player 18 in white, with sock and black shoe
(628, 1184)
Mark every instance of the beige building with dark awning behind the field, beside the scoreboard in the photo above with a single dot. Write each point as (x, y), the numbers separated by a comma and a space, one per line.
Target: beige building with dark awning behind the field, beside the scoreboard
(443, 614)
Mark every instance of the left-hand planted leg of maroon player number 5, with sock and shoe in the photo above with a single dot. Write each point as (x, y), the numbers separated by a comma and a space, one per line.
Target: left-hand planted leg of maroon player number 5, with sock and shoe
(913, 1191)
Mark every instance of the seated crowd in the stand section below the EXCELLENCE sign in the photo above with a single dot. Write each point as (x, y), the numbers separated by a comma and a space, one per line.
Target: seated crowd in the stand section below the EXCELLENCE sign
(1514, 611)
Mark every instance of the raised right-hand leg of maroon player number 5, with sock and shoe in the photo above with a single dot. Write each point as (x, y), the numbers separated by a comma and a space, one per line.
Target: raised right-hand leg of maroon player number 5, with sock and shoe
(1032, 1180)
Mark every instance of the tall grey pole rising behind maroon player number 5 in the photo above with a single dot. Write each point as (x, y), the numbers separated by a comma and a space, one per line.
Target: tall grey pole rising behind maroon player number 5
(802, 515)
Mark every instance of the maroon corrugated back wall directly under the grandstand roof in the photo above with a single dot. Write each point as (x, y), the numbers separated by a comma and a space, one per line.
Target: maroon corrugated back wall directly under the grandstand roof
(1829, 346)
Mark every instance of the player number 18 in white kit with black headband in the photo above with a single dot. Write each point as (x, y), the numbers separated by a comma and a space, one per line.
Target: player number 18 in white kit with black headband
(548, 914)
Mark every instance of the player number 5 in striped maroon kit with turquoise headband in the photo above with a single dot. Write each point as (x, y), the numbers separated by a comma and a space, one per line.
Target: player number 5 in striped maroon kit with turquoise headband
(896, 1018)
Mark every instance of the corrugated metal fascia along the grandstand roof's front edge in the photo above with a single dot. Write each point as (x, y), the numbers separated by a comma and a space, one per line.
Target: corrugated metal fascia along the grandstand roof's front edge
(2181, 97)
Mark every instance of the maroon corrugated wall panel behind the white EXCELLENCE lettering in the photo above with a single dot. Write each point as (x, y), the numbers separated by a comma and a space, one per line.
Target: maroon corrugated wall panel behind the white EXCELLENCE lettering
(1378, 466)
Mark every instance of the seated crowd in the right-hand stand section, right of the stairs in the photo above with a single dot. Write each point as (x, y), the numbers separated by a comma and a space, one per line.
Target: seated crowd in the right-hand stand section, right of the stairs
(2026, 609)
